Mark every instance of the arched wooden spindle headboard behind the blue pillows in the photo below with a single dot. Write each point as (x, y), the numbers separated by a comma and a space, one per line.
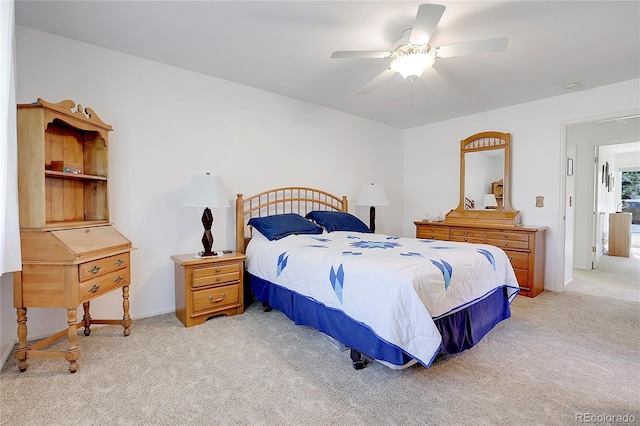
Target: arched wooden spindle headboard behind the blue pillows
(292, 199)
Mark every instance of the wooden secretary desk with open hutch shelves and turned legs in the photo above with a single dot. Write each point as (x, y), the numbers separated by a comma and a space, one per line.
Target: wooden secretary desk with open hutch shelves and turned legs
(71, 254)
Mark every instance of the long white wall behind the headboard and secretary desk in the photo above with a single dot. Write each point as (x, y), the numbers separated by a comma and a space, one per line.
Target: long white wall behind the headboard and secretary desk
(169, 124)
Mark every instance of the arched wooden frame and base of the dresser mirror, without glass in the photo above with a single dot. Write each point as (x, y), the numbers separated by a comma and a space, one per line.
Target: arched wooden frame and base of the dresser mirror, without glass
(507, 216)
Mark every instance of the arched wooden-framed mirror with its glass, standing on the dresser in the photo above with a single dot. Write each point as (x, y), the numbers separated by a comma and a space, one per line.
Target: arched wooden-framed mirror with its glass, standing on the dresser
(484, 181)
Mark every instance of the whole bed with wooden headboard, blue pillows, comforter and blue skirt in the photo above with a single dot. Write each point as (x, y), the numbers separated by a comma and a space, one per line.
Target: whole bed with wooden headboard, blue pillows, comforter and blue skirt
(398, 301)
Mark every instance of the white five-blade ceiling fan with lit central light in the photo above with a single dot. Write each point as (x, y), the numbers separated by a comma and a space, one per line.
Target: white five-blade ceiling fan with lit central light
(412, 54)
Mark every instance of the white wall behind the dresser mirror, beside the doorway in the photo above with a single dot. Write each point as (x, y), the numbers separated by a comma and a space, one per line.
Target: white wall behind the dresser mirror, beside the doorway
(431, 160)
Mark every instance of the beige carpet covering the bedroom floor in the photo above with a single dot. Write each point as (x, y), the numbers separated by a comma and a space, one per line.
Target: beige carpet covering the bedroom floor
(562, 356)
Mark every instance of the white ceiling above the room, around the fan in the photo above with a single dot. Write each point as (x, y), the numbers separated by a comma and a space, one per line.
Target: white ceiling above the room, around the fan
(284, 47)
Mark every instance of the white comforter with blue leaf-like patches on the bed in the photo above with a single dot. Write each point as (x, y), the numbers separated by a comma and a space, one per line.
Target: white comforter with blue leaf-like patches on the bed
(396, 286)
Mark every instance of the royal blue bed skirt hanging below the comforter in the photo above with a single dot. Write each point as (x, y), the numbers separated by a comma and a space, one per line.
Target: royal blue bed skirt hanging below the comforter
(460, 330)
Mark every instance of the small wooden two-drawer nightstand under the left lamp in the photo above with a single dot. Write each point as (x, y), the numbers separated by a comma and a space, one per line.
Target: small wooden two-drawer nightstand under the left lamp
(209, 286)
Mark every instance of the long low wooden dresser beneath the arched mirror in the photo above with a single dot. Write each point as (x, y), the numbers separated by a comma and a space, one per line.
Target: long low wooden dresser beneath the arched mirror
(524, 245)
